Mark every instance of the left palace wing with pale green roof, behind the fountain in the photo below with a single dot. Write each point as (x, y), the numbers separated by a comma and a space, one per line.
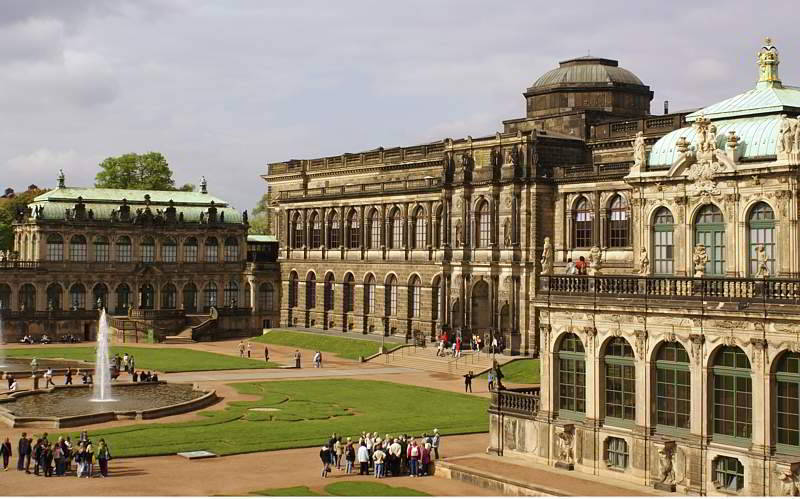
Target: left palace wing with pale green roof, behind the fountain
(166, 261)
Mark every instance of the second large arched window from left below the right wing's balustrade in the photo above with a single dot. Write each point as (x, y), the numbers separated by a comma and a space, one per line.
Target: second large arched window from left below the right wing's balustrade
(620, 380)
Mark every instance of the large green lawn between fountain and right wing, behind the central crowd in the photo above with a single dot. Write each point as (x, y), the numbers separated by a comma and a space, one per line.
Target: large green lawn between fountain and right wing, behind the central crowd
(309, 411)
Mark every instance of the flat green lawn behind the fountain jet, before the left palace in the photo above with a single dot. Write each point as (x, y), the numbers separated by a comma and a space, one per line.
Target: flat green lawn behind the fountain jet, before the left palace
(158, 359)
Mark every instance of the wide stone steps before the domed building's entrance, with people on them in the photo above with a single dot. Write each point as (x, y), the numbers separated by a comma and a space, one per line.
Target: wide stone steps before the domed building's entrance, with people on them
(425, 359)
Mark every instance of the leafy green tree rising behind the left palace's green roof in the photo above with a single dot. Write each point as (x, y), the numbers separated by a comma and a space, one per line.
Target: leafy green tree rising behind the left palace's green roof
(149, 171)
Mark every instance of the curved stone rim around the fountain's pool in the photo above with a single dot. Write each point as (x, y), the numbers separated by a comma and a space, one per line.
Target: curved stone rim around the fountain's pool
(14, 421)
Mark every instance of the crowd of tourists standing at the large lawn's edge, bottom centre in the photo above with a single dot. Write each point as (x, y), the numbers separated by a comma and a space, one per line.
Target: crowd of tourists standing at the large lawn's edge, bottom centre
(401, 455)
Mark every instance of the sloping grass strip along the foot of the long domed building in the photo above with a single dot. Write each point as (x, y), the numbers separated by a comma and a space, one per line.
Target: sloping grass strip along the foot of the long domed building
(343, 347)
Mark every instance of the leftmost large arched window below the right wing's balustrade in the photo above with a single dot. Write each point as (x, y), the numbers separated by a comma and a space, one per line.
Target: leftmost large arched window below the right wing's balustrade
(571, 375)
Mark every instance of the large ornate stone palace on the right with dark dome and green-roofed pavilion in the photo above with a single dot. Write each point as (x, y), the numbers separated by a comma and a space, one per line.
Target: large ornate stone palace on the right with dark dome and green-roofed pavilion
(674, 362)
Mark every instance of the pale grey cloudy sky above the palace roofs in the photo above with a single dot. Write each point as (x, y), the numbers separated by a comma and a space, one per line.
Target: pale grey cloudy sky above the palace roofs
(222, 88)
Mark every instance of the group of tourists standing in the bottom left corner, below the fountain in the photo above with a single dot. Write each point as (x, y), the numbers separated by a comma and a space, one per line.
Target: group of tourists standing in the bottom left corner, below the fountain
(56, 458)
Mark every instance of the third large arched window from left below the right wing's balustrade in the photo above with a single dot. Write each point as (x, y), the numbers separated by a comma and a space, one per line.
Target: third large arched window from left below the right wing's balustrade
(673, 387)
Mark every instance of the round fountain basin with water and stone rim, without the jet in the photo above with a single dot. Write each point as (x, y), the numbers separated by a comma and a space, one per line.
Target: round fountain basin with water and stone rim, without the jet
(70, 406)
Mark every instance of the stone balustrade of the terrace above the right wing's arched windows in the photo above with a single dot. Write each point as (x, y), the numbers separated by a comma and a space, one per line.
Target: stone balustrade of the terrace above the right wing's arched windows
(676, 288)
